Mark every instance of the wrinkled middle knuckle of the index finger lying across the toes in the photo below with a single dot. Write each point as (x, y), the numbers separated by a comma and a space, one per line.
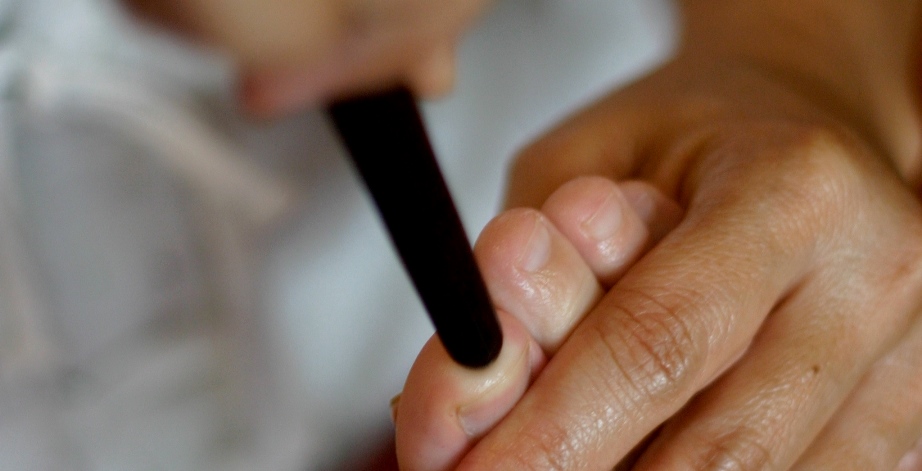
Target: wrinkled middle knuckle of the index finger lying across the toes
(657, 351)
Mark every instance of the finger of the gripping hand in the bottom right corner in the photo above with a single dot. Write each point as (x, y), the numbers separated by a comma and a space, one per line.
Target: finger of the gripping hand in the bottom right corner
(880, 421)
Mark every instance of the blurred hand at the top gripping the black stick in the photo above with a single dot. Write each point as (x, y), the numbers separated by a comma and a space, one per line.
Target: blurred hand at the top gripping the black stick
(297, 52)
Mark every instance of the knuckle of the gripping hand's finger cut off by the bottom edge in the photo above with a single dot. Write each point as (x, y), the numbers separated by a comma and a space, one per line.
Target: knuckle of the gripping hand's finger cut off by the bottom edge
(744, 449)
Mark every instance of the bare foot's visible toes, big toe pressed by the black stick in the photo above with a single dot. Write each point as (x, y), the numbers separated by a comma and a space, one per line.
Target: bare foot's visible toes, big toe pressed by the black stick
(544, 269)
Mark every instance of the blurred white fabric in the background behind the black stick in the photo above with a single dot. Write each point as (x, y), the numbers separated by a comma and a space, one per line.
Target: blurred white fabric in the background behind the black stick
(182, 289)
